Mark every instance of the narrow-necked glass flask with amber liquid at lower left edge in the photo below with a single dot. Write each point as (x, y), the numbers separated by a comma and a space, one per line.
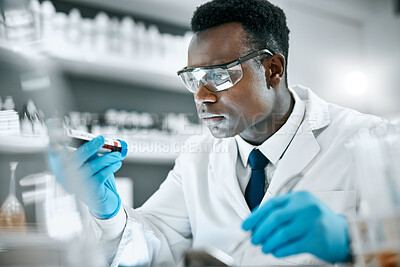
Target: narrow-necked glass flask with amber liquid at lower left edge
(12, 214)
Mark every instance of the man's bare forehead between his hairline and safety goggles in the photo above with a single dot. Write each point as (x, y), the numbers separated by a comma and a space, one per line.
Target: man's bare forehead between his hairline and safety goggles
(217, 45)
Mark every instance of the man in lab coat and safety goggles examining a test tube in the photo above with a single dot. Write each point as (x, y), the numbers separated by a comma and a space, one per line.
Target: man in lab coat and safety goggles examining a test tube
(272, 146)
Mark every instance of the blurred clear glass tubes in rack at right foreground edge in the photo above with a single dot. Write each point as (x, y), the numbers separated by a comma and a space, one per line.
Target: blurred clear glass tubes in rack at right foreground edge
(375, 230)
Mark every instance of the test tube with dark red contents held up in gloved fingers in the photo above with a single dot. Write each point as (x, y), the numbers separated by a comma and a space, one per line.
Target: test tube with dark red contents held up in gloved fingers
(80, 137)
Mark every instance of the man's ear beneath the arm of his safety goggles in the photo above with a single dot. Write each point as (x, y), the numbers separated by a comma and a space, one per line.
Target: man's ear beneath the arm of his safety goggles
(274, 70)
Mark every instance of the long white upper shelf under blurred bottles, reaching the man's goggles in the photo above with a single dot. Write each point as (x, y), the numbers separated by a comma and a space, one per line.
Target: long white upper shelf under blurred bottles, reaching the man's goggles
(114, 68)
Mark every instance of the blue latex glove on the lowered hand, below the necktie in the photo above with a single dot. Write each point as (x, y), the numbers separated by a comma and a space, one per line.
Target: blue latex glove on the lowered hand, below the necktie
(296, 223)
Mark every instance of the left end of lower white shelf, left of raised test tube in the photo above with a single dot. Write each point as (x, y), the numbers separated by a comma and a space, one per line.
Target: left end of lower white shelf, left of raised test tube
(23, 144)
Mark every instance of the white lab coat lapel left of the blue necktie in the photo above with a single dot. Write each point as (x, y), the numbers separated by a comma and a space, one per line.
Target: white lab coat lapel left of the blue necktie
(223, 168)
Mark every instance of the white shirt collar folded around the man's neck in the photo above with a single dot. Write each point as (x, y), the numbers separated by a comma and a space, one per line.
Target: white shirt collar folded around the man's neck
(274, 147)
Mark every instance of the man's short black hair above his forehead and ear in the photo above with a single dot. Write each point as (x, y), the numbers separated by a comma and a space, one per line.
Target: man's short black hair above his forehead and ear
(264, 23)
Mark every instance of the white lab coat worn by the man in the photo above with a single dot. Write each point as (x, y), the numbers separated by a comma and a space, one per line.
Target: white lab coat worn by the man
(200, 202)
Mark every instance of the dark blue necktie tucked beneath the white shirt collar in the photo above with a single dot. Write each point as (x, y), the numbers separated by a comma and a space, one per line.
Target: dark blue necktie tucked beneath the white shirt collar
(255, 189)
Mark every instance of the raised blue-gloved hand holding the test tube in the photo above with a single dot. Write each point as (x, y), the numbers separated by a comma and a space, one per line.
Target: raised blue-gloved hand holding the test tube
(90, 176)
